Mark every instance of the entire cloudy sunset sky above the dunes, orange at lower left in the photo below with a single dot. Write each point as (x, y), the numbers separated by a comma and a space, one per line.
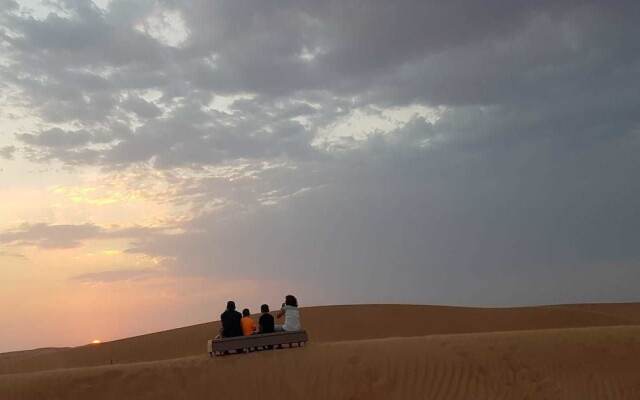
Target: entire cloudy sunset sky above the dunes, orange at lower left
(159, 157)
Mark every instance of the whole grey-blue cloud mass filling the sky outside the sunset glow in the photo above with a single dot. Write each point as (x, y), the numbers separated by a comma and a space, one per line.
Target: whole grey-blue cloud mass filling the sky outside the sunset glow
(524, 183)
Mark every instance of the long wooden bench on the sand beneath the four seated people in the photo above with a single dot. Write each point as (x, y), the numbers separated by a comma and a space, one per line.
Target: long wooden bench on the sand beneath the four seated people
(258, 341)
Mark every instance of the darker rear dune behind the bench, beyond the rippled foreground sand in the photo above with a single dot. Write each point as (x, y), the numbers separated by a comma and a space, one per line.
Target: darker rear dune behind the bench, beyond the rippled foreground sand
(336, 323)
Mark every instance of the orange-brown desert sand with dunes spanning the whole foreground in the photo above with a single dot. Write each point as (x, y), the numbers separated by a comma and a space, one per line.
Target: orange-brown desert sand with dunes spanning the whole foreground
(589, 351)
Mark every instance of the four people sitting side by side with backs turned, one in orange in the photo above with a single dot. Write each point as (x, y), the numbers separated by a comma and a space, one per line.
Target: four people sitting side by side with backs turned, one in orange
(236, 324)
